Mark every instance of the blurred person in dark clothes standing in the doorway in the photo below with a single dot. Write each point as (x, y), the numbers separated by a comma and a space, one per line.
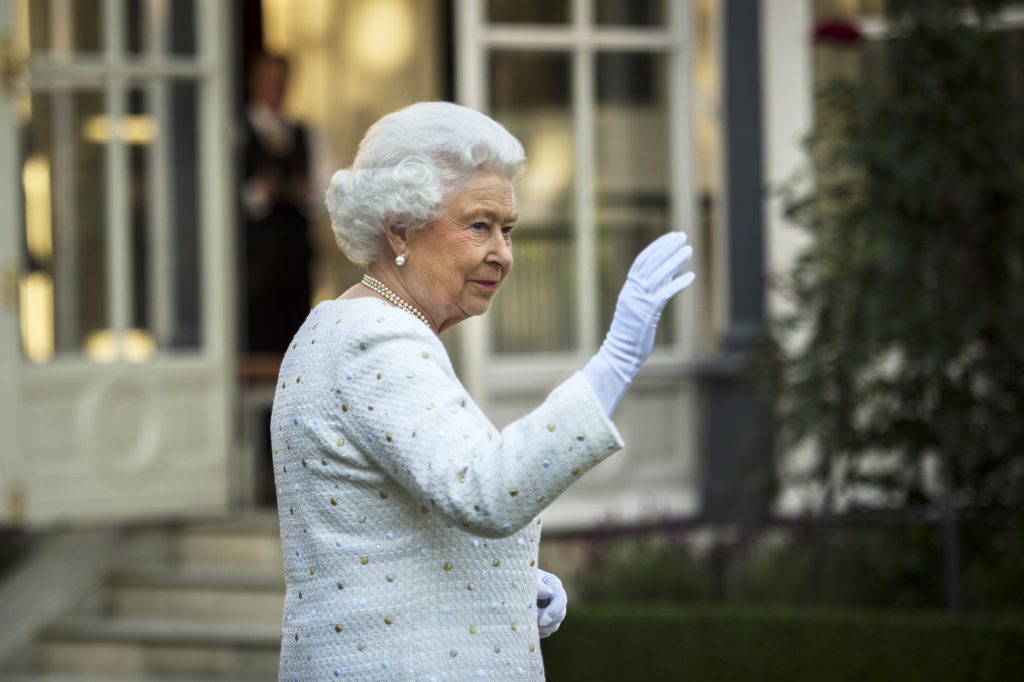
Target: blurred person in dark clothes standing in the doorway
(276, 198)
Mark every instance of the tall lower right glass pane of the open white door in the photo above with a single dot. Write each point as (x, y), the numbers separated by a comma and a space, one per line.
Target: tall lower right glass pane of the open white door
(161, 133)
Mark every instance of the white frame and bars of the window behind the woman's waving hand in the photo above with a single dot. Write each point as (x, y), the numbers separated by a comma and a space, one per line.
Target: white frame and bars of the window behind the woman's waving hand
(485, 372)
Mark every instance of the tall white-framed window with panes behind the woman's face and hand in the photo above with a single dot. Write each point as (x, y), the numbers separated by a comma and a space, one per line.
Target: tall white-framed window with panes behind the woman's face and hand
(598, 91)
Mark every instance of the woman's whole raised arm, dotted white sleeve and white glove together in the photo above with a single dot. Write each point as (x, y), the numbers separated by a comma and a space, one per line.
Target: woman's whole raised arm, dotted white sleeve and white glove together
(399, 399)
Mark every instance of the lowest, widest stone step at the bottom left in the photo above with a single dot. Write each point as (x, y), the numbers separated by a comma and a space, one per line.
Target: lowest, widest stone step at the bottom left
(123, 648)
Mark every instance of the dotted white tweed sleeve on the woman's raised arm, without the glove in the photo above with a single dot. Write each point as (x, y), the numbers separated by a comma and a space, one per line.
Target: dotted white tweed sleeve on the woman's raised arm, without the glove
(398, 399)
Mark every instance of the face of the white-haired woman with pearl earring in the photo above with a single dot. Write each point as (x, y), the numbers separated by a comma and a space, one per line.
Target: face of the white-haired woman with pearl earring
(457, 264)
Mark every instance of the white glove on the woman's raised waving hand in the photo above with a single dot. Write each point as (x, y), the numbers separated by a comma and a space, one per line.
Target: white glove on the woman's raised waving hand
(650, 286)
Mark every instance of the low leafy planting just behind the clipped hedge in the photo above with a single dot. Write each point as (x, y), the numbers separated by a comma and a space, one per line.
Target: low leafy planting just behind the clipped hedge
(884, 567)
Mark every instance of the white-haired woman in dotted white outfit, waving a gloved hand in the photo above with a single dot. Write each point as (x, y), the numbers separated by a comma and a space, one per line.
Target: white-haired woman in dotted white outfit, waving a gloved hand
(410, 524)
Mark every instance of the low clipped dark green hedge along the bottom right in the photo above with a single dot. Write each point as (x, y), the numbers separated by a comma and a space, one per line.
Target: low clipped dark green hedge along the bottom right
(627, 644)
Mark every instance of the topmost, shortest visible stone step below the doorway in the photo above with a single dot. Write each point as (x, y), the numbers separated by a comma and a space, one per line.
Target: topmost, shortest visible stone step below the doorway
(252, 543)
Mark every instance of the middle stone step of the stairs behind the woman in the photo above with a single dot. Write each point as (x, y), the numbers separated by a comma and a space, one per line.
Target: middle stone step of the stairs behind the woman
(210, 595)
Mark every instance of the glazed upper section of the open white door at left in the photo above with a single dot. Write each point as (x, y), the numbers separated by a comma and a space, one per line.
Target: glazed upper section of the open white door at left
(111, 176)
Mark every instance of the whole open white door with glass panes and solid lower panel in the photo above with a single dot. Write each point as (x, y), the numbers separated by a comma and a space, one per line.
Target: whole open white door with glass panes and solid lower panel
(116, 220)
